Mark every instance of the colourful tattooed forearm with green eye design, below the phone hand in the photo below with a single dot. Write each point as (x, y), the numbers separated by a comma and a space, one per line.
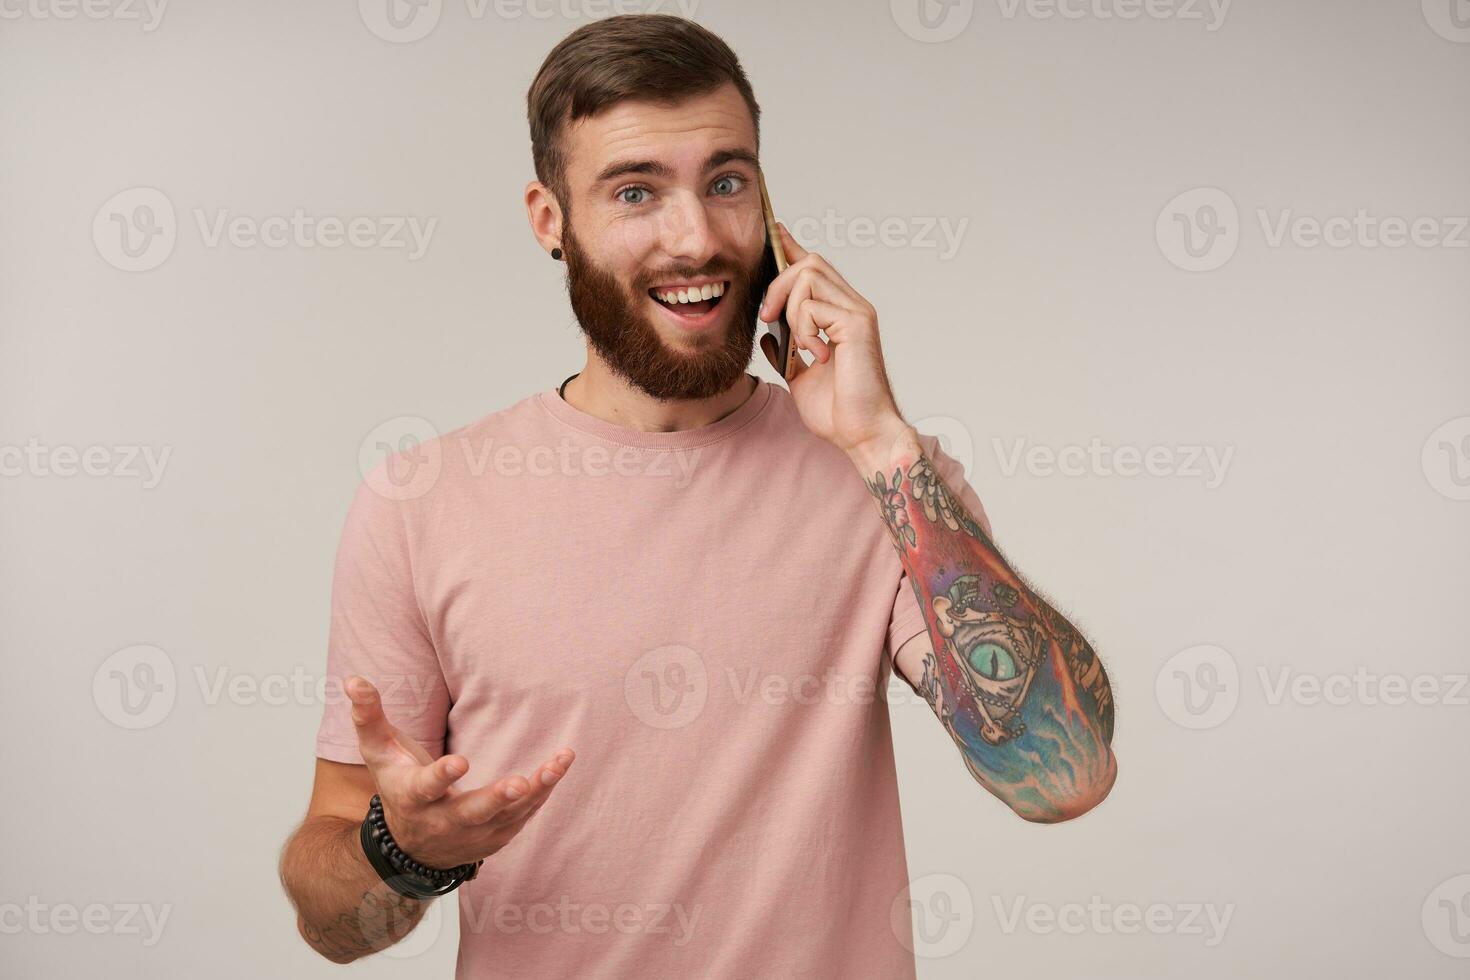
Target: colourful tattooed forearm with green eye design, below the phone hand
(1019, 690)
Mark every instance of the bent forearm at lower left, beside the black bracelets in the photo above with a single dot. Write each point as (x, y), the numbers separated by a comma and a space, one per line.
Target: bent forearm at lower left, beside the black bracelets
(345, 910)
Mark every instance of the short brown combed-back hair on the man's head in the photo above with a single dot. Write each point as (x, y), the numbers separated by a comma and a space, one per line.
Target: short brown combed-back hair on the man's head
(652, 57)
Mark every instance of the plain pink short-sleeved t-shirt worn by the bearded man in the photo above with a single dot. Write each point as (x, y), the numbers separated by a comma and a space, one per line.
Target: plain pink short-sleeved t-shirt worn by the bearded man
(708, 619)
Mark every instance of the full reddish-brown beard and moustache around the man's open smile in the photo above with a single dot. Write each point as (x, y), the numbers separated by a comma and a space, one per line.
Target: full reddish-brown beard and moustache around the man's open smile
(617, 324)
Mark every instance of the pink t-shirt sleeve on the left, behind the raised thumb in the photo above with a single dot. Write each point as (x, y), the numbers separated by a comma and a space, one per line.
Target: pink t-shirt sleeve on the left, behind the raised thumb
(379, 631)
